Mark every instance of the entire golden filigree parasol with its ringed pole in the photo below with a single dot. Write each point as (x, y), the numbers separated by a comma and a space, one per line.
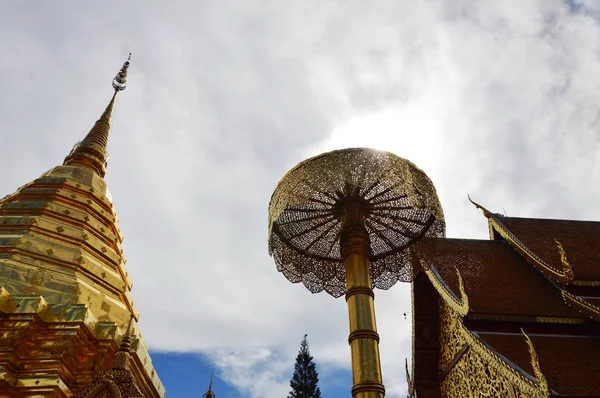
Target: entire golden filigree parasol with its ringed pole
(345, 222)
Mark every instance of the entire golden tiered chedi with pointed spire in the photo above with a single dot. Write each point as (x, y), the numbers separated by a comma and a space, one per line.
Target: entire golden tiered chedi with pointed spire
(64, 291)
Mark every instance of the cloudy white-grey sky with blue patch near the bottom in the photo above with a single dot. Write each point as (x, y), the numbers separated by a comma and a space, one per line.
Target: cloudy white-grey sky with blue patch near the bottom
(498, 99)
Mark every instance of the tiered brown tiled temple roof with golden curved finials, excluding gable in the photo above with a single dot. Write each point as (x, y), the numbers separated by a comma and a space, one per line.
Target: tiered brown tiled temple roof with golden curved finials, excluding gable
(539, 275)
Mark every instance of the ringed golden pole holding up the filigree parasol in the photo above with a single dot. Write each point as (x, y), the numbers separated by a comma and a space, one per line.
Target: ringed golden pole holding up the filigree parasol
(363, 338)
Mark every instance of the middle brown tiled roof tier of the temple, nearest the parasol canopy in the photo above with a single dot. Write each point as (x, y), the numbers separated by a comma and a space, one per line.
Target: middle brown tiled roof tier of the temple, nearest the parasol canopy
(497, 280)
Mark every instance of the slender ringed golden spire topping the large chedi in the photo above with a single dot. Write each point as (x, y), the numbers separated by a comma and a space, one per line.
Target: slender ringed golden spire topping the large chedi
(92, 152)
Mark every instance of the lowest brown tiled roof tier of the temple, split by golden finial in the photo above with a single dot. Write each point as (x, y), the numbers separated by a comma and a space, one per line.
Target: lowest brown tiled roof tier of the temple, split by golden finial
(569, 363)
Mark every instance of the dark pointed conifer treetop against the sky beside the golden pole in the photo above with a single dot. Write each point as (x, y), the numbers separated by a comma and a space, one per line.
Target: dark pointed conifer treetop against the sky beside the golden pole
(305, 380)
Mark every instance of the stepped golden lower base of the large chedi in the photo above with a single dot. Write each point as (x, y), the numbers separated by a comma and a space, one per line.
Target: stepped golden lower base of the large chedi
(54, 351)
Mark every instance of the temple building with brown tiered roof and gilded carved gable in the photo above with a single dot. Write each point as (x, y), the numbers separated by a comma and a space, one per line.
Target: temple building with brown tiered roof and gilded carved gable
(531, 275)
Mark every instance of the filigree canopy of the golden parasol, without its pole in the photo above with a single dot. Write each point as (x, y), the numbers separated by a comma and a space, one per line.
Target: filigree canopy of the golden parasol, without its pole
(399, 203)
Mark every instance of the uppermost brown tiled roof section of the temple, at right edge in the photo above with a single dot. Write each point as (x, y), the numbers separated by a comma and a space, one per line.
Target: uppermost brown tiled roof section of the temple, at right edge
(580, 239)
